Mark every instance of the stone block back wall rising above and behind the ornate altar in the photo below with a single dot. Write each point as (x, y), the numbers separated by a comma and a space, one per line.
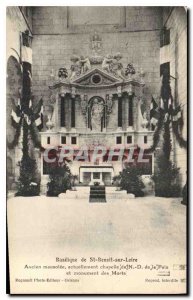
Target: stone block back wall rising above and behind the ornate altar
(55, 38)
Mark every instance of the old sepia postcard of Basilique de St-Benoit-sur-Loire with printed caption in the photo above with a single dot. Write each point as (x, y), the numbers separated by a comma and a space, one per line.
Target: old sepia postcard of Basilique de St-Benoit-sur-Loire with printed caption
(97, 149)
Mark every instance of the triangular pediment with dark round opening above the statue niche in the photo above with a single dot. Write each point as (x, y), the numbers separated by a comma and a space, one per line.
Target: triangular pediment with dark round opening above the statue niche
(96, 77)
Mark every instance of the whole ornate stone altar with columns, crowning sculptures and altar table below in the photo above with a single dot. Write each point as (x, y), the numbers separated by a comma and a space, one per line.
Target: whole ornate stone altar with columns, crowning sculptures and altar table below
(97, 101)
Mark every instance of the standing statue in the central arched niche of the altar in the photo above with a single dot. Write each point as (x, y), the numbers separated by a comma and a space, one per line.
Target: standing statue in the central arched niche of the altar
(97, 114)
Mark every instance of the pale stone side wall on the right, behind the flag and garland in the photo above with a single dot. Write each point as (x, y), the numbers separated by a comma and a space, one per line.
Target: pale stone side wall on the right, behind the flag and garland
(175, 19)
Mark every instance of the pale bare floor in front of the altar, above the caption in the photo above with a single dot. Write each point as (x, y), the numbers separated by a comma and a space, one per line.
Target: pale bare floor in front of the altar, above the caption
(40, 228)
